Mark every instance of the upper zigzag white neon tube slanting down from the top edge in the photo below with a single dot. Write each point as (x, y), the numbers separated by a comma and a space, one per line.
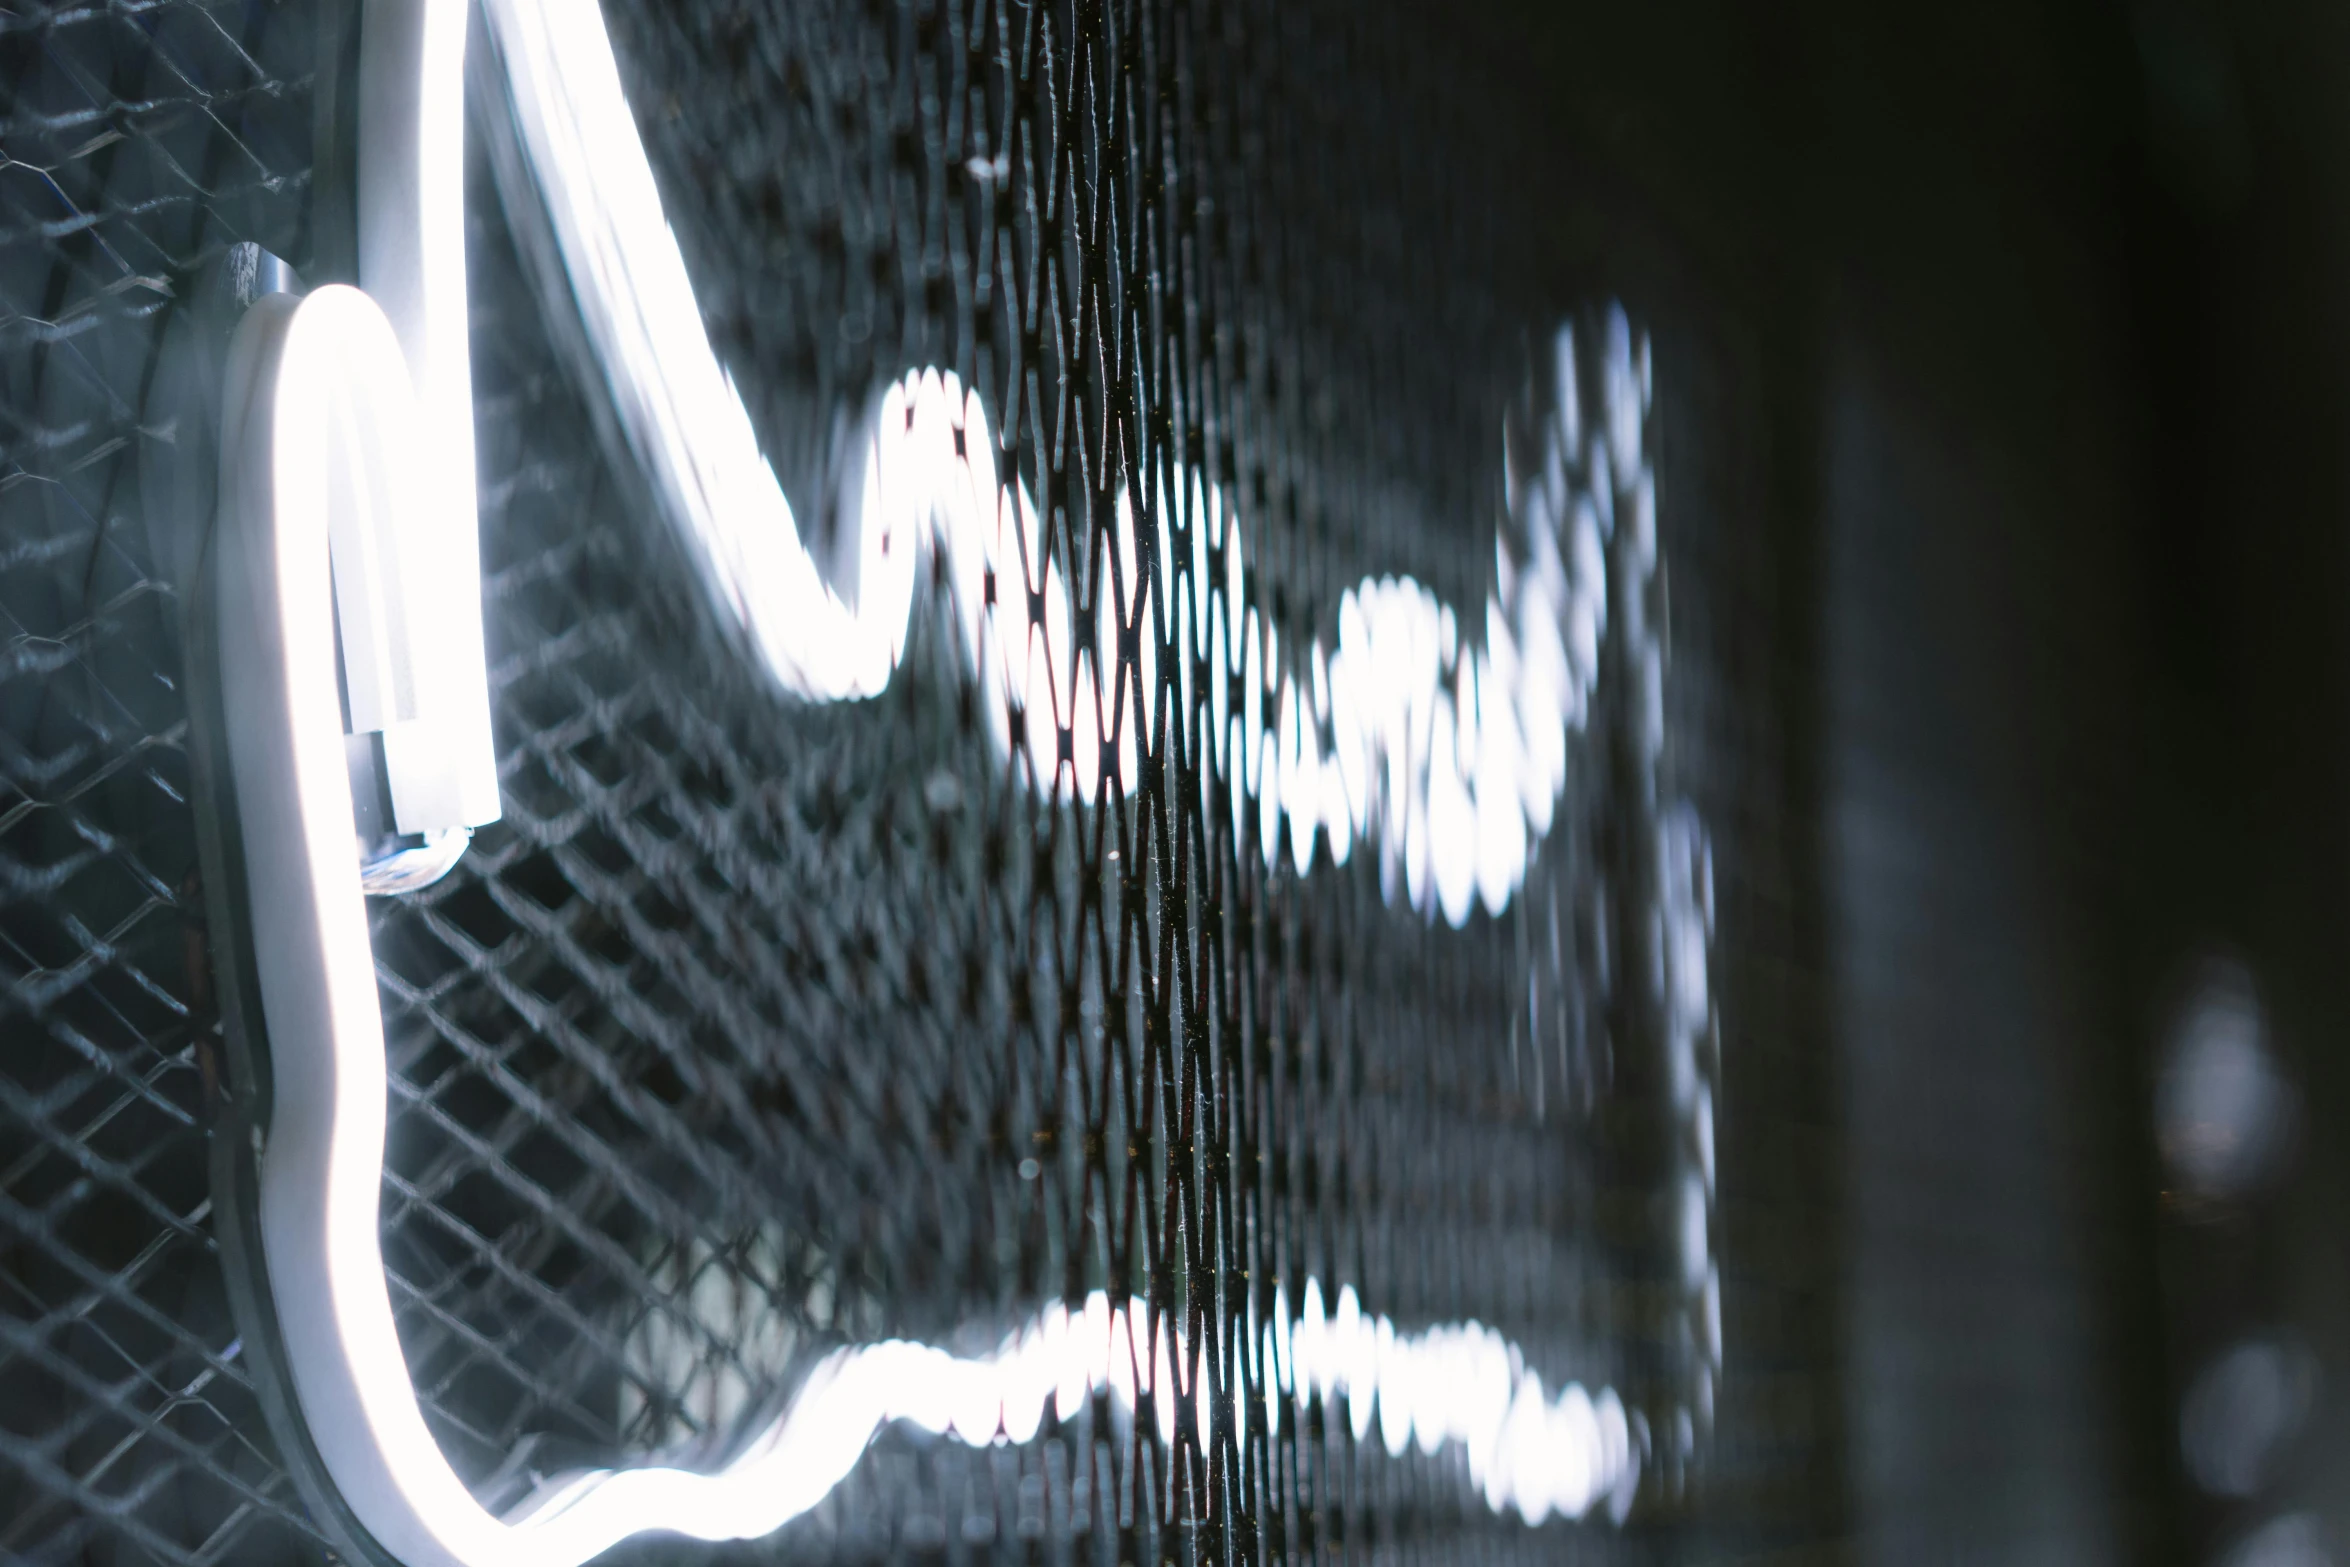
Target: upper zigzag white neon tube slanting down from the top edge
(1439, 744)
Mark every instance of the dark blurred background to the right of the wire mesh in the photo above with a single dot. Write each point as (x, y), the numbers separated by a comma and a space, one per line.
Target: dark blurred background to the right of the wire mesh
(2043, 314)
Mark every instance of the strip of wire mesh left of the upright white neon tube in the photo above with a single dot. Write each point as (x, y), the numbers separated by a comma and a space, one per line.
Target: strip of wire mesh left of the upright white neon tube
(140, 142)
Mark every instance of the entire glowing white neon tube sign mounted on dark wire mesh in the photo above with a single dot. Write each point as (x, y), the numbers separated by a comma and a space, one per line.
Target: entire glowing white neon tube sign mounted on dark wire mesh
(1442, 748)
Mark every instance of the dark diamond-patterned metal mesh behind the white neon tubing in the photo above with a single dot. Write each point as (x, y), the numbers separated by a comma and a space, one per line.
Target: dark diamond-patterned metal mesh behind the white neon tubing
(763, 1028)
